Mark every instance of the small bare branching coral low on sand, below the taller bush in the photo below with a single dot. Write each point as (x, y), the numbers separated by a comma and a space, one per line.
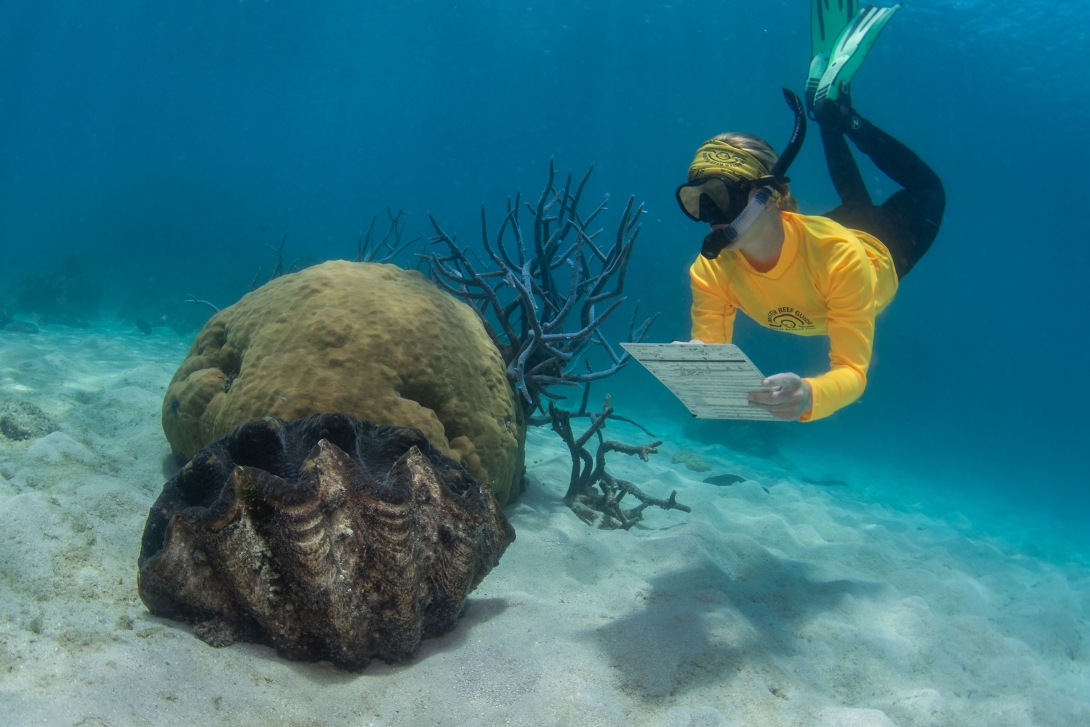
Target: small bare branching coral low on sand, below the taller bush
(604, 507)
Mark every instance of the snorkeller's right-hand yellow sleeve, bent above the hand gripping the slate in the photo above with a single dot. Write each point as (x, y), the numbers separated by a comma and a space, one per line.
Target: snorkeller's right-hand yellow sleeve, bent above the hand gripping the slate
(851, 321)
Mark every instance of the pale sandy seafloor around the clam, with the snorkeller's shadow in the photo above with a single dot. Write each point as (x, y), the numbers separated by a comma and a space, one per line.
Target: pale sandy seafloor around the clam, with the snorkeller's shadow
(801, 605)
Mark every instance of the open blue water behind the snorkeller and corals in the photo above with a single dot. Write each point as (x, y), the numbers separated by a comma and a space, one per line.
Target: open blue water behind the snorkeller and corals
(168, 143)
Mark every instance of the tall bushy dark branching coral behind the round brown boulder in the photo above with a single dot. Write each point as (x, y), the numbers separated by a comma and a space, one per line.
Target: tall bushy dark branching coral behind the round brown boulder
(530, 286)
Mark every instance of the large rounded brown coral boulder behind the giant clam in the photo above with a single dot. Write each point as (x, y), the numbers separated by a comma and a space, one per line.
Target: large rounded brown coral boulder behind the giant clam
(374, 342)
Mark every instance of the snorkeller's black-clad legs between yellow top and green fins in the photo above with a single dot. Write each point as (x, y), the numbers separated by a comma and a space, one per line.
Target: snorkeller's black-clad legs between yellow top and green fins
(909, 222)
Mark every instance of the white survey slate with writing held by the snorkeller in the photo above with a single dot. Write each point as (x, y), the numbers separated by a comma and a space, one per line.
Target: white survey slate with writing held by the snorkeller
(713, 381)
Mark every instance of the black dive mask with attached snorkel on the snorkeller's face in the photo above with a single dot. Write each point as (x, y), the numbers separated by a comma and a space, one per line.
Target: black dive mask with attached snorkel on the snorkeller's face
(722, 201)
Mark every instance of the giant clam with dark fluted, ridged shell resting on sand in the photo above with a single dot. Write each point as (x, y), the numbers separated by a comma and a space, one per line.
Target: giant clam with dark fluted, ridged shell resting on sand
(328, 538)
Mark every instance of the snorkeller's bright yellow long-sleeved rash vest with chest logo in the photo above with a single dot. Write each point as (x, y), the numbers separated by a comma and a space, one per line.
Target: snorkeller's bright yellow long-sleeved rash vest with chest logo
(829, 281)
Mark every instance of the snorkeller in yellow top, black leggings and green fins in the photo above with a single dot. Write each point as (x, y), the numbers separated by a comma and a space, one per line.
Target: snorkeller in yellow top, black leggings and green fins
(810, 275)
